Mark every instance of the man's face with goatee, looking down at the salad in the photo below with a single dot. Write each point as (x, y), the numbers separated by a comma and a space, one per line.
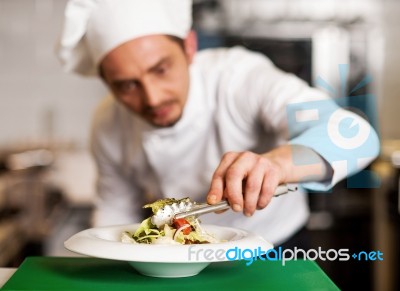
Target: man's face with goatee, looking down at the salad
(150, 76)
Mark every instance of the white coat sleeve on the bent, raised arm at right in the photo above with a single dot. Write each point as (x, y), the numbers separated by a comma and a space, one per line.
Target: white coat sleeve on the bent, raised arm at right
(302, 115)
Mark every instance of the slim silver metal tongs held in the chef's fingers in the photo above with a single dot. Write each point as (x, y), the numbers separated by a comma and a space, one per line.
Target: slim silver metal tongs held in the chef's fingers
(204, 208)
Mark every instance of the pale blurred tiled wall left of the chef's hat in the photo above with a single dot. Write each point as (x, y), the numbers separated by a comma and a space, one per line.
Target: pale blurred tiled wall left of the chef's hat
(37, 99)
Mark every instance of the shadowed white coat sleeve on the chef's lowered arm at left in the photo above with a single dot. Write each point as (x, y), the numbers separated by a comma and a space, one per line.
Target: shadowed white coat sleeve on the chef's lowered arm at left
(118, 200)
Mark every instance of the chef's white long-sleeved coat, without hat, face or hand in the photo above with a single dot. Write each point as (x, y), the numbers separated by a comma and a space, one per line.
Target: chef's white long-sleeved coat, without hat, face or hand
(237, 101)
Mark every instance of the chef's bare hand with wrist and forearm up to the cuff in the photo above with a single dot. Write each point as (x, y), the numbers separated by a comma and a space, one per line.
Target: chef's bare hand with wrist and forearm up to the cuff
(248, 180)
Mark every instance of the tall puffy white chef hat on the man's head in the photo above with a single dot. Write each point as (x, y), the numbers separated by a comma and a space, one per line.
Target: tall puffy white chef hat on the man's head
(92, 28)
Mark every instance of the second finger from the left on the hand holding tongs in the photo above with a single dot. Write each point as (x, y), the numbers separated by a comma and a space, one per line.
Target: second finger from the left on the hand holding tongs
(235, 174)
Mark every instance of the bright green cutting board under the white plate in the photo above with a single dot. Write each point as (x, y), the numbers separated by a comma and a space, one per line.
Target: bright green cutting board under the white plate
(53, 273)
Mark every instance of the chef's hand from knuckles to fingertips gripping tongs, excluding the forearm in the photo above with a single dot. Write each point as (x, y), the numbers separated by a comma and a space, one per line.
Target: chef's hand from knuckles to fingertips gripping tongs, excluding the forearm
(247, 180)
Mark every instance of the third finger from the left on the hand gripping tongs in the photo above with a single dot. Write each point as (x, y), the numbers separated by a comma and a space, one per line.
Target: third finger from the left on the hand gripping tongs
(253, 189)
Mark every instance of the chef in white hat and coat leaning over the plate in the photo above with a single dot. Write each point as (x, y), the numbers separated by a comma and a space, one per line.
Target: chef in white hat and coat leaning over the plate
(208, 125)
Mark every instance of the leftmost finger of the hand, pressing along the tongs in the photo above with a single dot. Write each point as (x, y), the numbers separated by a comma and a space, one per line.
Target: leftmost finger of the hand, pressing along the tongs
(217, 186)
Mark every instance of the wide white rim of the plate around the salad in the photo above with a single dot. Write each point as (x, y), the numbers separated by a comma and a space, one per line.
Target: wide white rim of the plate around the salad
(87, 243)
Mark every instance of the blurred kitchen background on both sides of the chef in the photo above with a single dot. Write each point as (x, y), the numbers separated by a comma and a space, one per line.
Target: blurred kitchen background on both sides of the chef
(47, 175)
